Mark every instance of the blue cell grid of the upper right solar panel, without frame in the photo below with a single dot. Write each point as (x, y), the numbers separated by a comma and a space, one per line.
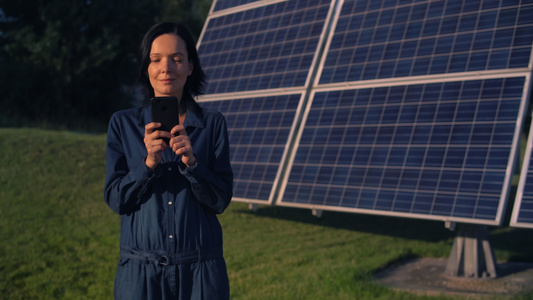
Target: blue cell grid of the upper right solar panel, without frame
(415, 40)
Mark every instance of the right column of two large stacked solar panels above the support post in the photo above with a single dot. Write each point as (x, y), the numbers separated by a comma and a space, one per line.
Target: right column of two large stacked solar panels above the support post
(416, 112)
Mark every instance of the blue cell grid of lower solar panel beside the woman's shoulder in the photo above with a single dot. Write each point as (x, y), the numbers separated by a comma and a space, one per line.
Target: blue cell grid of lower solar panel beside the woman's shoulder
(258, 131)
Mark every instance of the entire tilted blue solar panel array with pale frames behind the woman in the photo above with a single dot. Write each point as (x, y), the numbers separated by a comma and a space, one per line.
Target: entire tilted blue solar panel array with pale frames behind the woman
(407, 108)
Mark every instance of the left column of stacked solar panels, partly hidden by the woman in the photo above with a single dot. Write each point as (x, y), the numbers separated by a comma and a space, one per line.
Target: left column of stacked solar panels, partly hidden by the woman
(258, 56)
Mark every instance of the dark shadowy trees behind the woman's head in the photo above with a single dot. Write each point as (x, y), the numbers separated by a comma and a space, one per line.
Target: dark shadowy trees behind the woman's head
(67, 63)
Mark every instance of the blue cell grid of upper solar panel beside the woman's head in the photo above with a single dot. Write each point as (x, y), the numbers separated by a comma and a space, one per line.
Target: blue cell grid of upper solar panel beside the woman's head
(262, 48)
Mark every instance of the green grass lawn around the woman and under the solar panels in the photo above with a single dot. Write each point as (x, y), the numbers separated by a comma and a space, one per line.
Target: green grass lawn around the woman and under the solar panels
(60, 240)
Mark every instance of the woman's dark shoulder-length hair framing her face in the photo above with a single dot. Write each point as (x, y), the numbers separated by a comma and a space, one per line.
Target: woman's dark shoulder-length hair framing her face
(195, 82)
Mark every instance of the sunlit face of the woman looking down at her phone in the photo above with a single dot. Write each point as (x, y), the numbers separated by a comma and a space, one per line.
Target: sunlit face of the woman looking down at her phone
(169, 65)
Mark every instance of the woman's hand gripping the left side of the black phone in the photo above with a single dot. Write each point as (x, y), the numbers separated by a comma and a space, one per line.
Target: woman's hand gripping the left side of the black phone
(154, 144)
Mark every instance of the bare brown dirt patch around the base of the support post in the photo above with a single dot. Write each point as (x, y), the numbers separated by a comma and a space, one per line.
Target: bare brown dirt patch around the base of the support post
(426, 276)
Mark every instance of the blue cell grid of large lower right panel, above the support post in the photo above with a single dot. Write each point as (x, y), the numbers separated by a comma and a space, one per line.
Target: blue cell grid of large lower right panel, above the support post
(445, 150)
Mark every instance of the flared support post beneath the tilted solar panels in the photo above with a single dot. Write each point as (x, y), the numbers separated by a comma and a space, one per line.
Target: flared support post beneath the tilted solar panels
(472, 255)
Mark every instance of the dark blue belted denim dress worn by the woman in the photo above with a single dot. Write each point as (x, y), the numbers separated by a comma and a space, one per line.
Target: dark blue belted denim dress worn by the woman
(170, 237)
